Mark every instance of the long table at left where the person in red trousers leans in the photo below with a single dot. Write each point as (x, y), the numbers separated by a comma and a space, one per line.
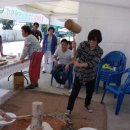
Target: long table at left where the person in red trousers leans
(12, 66)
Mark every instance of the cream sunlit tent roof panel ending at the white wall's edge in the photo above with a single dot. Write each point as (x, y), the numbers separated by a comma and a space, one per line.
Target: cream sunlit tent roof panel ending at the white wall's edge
(60, 10)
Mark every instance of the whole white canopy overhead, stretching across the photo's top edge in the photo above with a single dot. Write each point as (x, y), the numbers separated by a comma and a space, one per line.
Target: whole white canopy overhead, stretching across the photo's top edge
(59, 9)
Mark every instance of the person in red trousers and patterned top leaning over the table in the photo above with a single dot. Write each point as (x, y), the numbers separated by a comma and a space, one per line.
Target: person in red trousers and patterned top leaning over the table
(33, 50)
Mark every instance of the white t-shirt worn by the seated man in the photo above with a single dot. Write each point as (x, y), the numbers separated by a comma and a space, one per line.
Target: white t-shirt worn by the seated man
(63, 57)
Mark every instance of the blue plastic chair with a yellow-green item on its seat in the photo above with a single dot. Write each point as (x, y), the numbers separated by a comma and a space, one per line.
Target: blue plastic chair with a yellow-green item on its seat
(115, 59)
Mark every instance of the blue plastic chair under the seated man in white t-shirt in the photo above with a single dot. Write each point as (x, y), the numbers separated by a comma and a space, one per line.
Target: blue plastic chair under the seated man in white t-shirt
(70, 77)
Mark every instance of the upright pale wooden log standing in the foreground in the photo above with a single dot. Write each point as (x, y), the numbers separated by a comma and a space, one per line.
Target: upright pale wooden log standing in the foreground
(37, 112)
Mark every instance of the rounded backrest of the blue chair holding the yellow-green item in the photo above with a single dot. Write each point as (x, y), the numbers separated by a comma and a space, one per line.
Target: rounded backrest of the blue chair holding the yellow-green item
(116, 59)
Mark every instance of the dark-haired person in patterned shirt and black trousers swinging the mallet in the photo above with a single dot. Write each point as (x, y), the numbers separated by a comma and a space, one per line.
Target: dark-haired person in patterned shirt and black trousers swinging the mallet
(87, 57)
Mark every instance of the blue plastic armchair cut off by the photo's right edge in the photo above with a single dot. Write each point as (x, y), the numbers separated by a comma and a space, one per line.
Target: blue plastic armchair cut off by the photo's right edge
(118, 91)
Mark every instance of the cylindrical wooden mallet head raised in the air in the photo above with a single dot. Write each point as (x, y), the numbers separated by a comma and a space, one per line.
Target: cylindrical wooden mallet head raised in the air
(72, 26)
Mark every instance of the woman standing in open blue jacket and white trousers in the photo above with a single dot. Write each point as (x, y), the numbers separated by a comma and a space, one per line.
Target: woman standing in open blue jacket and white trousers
(49, 47)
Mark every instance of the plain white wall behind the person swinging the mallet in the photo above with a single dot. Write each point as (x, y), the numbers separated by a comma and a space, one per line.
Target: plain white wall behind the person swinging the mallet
(114, 23)
